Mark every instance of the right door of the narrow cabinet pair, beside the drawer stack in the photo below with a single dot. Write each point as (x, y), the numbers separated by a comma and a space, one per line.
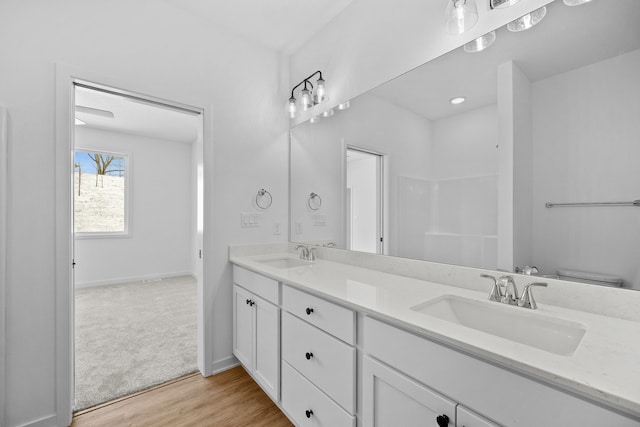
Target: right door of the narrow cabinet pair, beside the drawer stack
(267, 350)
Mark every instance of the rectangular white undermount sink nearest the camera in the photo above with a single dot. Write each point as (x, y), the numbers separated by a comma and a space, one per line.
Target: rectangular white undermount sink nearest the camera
(512, 323)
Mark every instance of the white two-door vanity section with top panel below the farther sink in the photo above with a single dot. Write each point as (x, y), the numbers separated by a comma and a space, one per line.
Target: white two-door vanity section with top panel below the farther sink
(256, 328)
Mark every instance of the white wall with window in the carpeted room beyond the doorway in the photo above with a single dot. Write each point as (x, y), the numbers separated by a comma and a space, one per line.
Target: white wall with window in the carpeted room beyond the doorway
(161, 212)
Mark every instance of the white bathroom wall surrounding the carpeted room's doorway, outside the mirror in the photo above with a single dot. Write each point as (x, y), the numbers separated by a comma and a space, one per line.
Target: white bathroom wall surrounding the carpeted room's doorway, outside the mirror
(152, 48)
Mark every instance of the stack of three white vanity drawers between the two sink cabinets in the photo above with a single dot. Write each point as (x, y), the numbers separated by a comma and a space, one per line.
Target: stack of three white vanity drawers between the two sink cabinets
(318, 361)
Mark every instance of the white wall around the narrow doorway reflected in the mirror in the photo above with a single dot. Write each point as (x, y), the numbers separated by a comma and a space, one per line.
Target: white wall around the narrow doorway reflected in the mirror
(318, 156)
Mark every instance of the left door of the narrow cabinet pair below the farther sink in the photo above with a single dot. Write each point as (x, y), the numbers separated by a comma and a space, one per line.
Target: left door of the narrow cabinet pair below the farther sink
(243, 333)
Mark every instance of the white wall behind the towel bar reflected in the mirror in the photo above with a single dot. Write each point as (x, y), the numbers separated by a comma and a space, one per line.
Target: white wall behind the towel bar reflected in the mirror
(586, 130)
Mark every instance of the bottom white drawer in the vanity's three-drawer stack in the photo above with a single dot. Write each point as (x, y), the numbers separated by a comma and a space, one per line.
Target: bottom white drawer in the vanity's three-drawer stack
(300, 396)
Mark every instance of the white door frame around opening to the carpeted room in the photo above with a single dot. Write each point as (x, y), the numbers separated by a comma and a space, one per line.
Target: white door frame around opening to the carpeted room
(66, 78)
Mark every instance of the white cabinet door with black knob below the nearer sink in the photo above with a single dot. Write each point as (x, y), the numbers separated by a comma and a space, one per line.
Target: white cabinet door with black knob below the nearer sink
(393, 399)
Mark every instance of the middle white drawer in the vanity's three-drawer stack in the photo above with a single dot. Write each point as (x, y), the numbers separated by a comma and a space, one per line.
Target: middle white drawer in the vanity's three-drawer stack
(324, 360)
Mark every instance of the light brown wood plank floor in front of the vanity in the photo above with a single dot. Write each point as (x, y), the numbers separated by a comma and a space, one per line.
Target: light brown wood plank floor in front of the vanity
(230, 398)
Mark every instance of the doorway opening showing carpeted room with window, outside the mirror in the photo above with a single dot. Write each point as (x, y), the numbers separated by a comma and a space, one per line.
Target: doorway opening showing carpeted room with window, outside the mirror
(137, 240)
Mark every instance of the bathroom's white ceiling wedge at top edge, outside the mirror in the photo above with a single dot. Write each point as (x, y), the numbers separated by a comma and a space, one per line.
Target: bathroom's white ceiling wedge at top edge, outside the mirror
(283, 25)
